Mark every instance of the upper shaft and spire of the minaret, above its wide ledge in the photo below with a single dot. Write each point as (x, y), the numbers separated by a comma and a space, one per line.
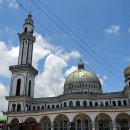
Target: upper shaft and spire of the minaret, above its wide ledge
(26, 41)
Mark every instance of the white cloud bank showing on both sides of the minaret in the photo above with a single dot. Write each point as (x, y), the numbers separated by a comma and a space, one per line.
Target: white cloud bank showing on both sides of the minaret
(50, 80)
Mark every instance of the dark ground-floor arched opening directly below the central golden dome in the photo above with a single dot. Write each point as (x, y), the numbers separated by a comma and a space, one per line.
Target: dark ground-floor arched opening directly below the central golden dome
(82, 122)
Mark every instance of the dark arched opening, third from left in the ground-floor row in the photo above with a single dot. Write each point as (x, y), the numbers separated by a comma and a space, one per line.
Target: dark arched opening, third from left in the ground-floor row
(45, 123)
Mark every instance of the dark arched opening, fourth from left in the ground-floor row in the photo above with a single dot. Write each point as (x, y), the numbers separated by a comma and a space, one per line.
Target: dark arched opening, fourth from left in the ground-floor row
(61, 122)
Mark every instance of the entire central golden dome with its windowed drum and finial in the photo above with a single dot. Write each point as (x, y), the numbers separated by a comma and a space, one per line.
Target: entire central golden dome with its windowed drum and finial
(82, 81)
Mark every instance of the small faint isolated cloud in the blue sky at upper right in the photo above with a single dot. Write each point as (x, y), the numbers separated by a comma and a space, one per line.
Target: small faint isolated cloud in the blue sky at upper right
(113, 29)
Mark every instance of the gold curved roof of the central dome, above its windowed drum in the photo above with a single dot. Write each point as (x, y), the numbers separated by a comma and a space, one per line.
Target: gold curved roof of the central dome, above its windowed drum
(82, 76)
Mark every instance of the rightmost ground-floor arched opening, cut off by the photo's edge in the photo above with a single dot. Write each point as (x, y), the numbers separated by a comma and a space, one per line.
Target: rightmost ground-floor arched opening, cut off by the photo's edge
(123, 120)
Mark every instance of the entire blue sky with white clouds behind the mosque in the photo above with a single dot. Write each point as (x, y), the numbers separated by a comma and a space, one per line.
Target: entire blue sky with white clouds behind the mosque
(103, 25)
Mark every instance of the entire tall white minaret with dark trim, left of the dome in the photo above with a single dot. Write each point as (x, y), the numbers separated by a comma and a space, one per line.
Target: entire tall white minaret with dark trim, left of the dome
(23, 74)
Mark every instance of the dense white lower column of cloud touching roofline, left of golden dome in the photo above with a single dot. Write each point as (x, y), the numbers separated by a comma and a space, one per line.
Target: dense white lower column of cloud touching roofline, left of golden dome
(50, 82)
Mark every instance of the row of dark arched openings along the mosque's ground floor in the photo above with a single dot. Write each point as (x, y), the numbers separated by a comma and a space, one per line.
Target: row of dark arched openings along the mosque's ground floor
(80, 122)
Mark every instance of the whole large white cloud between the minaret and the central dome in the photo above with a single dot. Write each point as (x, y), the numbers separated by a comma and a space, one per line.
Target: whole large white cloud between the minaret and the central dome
(51, 78)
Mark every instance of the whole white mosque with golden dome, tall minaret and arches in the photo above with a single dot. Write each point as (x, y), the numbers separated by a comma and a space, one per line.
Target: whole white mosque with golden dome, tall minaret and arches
(82, 106)
